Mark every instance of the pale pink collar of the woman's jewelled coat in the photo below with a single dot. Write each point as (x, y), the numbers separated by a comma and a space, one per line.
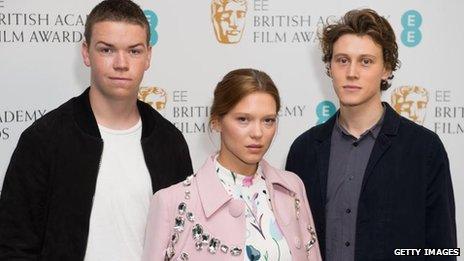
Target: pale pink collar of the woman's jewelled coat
(212, 193)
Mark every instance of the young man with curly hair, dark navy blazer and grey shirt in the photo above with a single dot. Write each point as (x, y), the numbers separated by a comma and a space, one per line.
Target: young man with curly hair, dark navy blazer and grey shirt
(376, 181)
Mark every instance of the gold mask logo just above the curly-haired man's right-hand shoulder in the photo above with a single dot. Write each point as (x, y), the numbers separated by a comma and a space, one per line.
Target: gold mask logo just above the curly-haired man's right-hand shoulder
(411, 102)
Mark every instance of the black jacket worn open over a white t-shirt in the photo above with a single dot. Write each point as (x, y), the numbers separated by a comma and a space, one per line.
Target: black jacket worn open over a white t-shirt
(50, 182)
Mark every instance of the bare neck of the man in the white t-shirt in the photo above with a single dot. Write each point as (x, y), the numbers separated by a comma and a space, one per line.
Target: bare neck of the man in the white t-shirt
(113, 114)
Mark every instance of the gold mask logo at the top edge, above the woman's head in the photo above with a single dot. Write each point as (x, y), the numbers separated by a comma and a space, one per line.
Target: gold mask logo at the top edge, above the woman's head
(228, 17)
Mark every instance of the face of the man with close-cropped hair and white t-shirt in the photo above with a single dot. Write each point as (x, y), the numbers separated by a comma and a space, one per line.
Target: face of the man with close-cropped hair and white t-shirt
(118, 56)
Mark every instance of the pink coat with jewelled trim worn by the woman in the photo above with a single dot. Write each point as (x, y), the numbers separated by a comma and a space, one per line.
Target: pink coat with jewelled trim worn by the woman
(222, 217)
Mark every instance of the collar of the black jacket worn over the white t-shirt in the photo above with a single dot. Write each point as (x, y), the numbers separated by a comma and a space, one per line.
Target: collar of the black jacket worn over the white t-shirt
(85, 119)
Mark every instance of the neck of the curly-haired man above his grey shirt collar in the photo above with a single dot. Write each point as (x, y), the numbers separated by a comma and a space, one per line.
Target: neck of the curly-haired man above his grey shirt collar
(358, 119)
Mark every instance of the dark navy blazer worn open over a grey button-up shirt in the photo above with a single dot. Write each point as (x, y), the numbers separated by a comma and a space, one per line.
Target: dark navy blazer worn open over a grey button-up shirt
(406, 198)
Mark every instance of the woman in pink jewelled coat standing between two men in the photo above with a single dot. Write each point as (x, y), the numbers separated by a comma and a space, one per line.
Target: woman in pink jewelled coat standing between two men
(237, 206)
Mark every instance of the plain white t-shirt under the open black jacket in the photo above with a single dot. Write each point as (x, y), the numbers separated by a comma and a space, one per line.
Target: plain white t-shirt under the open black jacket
(121, 200)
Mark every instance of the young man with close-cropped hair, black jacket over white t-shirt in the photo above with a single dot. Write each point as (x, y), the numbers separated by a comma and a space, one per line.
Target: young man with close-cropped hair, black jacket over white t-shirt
(79, 183)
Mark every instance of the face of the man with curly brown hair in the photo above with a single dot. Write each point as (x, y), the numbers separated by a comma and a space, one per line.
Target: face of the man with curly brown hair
(357, 68)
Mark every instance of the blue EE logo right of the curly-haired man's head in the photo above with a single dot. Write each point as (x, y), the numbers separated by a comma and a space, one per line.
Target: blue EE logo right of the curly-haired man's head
(411, 35)
